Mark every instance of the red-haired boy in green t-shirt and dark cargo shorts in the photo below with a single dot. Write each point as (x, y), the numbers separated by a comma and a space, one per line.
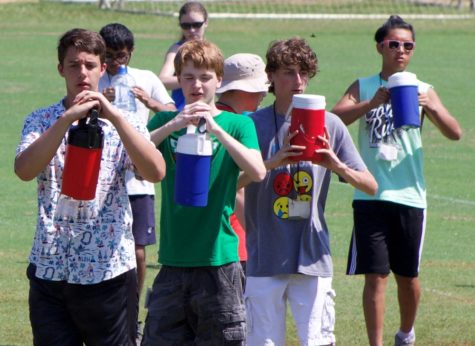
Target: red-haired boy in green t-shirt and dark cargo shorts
(197, 295)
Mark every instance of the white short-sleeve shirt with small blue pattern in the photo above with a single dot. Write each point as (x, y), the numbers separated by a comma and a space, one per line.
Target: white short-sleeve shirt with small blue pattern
(96, 244)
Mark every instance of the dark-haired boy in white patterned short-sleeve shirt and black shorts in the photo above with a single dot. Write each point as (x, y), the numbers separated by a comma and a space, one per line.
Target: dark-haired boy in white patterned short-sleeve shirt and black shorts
(83, 286)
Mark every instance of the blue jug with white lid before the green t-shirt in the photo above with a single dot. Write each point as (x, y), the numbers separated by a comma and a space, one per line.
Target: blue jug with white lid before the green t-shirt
(193, 165)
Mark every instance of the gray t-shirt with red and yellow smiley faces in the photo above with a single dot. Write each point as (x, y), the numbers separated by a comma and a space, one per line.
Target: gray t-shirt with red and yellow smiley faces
(279, 242)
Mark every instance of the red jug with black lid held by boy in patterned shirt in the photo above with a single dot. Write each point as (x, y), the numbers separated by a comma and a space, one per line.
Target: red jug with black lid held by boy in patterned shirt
(83, 158)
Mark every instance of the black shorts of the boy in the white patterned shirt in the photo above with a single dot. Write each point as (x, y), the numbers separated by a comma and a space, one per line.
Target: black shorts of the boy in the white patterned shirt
(71, 314)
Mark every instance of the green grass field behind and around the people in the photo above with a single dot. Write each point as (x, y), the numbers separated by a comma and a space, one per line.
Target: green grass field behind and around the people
(444, 57)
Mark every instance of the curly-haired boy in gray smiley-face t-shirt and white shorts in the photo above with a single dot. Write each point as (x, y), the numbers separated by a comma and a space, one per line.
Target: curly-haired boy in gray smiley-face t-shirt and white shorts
(289, 257)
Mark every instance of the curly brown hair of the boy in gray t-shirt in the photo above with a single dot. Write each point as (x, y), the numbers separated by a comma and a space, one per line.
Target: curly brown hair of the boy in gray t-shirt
(294, 51)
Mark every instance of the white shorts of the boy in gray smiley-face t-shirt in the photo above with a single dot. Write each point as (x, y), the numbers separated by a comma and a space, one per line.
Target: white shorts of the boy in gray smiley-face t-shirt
(310, 299)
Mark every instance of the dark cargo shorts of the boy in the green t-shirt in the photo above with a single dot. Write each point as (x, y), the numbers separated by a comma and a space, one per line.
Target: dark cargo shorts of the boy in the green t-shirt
(196, 306)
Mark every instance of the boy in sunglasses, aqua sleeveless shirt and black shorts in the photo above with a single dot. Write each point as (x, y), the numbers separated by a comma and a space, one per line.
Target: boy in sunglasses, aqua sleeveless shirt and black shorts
(389, 227)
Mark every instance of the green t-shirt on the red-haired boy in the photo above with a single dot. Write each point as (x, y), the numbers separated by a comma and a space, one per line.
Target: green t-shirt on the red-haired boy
(202, 236)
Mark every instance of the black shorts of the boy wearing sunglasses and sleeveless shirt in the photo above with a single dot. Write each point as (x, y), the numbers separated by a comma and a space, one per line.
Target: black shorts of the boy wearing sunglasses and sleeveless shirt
(386, 237)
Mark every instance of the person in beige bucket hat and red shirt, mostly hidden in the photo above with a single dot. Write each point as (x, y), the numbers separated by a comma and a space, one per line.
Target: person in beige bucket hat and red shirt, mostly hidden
(243, 87)
